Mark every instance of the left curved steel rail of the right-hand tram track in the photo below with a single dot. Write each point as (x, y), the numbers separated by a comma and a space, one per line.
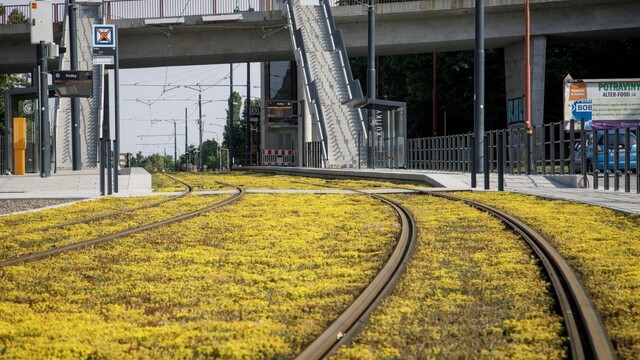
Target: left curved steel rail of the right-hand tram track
(343, 329)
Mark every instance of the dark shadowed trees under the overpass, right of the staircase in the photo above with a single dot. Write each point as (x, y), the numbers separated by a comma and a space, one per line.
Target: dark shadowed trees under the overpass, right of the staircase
(409, 78)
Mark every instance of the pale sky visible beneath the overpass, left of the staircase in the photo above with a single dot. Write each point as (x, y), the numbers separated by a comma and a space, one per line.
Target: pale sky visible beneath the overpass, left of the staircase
(152, 98)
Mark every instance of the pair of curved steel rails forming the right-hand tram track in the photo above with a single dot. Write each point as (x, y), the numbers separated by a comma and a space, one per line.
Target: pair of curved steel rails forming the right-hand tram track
(588, 338)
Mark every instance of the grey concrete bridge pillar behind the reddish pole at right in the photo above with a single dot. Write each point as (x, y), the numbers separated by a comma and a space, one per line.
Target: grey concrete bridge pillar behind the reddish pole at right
(514, 63)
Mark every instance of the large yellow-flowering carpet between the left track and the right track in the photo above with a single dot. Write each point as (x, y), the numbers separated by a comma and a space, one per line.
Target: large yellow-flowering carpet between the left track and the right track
(257, 279)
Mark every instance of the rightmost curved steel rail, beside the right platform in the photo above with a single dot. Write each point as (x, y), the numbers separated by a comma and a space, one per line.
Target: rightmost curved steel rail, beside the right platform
(587, 336)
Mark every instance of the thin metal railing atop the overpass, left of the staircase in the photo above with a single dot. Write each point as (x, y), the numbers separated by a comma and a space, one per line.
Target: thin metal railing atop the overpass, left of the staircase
(146, 9)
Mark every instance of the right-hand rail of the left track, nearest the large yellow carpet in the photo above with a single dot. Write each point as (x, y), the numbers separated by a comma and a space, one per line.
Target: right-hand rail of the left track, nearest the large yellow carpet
(79, 245)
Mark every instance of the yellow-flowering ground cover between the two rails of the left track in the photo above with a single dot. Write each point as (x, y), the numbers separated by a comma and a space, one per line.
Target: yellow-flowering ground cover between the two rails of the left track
(22, 240)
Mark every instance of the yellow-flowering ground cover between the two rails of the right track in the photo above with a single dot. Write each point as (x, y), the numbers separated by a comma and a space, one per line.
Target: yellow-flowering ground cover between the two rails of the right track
(473, 290)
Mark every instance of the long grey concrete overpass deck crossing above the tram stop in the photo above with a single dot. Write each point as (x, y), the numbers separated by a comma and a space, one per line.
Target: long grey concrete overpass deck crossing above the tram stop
(402, 28)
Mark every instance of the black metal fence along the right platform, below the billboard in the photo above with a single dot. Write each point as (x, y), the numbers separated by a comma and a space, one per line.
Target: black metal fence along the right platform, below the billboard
(552, 149)
